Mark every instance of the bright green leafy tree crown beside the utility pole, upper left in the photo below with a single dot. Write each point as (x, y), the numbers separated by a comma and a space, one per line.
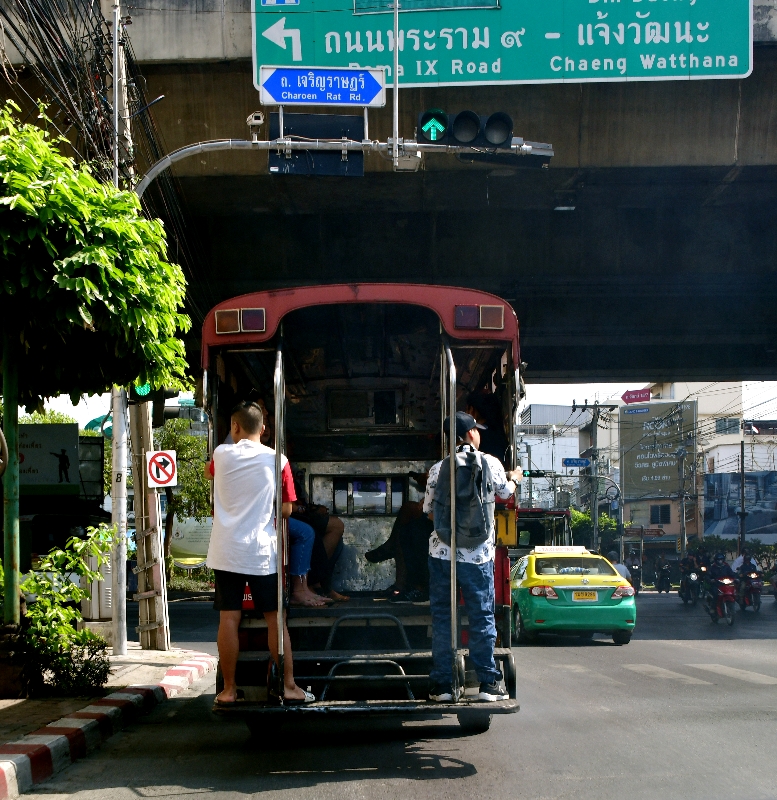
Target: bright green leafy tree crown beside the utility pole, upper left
(83, 272)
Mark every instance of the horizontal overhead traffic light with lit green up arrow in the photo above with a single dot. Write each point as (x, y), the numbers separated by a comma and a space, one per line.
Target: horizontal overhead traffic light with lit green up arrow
(466, 128)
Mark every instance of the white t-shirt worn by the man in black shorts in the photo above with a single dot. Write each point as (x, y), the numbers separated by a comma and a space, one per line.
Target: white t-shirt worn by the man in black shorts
(243, 538)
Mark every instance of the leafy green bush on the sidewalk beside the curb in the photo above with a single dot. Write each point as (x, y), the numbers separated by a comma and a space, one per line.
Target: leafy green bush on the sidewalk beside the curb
(59, 657)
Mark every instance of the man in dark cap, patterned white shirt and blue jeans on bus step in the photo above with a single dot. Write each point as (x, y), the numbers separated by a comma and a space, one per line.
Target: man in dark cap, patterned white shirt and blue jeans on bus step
(475, 577)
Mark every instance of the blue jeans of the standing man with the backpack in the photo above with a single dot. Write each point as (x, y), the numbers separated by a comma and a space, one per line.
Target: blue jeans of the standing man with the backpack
(476, 582)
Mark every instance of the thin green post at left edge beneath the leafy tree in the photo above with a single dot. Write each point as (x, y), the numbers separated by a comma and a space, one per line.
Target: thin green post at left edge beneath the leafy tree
(11, 478)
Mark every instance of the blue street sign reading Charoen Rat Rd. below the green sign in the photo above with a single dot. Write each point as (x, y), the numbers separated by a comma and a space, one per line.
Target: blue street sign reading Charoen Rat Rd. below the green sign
(322, 86)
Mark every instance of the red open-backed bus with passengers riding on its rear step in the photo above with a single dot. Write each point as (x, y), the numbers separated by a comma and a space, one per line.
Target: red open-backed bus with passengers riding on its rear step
(359, 379)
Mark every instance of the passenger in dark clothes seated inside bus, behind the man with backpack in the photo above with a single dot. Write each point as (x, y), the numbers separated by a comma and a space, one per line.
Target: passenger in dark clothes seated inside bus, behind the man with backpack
(409, 539)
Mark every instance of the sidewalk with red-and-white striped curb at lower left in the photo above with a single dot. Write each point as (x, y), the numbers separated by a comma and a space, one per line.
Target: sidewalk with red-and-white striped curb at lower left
(38, 738)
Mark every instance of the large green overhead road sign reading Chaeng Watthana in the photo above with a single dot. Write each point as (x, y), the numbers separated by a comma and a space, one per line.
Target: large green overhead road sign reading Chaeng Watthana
(463, 42)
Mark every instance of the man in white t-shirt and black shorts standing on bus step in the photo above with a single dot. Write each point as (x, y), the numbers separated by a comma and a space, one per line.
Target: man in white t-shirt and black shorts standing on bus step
(243, 546)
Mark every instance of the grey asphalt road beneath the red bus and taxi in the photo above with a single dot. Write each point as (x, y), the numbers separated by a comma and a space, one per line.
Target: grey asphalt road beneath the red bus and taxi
(687, 709)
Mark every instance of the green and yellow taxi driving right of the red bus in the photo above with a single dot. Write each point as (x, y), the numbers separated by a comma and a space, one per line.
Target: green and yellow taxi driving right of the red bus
(569, 590)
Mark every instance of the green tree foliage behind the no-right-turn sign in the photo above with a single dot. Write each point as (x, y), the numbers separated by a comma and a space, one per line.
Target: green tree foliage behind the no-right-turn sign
(192, 497)
